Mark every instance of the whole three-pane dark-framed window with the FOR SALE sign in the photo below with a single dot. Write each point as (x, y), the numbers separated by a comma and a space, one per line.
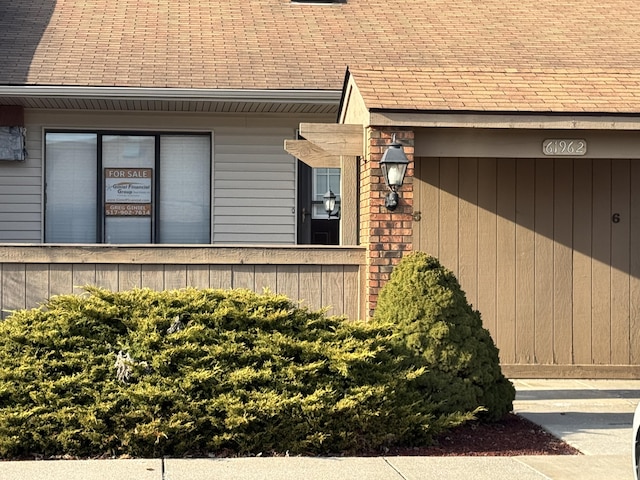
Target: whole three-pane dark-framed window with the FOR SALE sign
(127, 188)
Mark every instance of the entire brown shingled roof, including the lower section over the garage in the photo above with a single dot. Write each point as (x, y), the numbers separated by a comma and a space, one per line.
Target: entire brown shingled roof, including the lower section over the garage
(503, 52)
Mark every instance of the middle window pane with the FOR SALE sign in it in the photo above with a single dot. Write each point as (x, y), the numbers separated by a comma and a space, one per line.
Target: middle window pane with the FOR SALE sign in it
(128, 172)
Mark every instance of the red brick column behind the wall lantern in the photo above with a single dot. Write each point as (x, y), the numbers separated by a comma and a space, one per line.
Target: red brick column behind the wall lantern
(386, 234)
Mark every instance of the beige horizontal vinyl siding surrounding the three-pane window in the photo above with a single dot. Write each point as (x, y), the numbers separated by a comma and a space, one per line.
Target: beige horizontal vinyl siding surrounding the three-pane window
(253, 185)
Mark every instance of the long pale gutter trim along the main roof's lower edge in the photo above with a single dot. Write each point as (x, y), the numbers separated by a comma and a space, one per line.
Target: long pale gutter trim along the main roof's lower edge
(183, 94)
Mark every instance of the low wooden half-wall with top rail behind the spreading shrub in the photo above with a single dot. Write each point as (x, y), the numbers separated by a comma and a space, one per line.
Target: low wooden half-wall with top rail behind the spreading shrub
(320, 277)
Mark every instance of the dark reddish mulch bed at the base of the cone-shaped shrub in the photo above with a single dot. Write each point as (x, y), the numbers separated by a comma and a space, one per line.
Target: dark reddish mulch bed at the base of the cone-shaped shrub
(511, 436)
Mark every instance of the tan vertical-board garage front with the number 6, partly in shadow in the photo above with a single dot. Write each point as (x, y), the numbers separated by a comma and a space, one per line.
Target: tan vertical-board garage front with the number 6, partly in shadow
(555, 275)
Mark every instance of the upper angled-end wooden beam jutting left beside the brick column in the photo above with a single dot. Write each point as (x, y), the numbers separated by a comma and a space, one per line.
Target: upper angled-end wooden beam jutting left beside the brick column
(335, 138)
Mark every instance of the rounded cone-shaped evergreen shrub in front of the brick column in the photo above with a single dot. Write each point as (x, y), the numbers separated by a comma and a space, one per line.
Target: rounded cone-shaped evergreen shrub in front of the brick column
(446, 336)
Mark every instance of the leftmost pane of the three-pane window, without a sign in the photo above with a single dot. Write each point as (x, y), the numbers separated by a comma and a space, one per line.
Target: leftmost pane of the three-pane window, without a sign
(71, 182)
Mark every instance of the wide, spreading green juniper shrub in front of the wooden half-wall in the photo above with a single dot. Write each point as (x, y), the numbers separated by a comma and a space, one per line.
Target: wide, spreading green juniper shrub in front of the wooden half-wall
(206, 371)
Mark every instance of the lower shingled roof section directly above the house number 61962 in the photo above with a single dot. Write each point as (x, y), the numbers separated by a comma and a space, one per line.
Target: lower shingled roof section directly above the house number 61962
(498, 89)
